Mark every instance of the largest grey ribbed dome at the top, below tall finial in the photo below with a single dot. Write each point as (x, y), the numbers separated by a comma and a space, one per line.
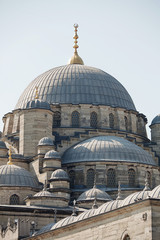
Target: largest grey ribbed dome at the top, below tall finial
(77, 84)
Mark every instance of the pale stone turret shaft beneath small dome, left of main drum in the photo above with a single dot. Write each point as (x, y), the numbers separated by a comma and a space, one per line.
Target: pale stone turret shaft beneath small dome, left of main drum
(34, 125)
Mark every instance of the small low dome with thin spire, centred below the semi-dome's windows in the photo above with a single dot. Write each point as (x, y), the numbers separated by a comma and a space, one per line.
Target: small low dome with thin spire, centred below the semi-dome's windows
(91, 193)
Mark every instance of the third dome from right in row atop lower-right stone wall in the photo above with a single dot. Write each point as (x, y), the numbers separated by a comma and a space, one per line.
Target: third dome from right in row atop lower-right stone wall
(106, 207)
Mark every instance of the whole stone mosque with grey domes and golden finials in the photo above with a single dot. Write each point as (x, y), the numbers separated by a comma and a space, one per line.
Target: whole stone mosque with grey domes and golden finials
(76, 162)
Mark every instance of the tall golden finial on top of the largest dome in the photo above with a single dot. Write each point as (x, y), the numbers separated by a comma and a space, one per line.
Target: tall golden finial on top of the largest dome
(76, 59)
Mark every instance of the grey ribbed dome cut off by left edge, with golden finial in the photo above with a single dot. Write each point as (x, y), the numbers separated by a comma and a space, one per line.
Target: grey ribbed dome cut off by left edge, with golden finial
(12, 175)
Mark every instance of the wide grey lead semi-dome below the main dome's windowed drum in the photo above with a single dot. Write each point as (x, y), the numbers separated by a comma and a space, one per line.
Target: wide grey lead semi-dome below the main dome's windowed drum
(107, 149)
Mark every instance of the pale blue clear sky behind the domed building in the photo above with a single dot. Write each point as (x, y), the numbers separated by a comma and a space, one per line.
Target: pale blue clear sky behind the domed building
(121, 37)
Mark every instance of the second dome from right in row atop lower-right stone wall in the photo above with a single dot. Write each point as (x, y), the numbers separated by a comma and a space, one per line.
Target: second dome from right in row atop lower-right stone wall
(134, 197)
